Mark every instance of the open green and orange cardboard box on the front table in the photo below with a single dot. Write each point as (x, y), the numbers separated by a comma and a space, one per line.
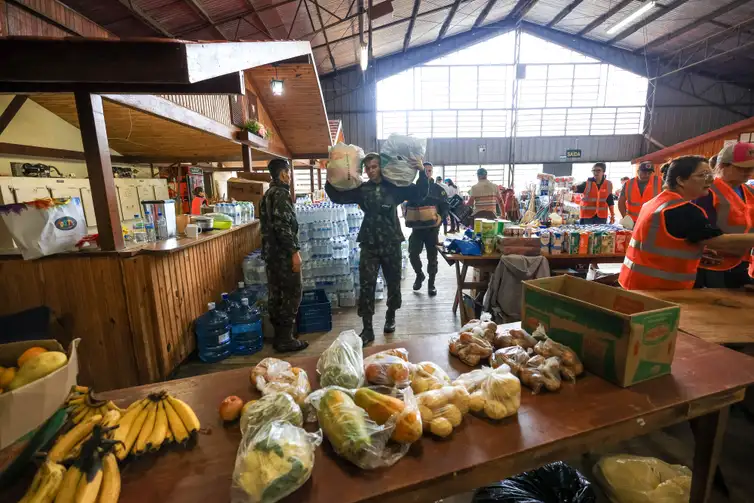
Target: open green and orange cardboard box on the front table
(619, 335)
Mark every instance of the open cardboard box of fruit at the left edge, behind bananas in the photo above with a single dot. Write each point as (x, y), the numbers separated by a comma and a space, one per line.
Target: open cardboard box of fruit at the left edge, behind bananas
(24, 409)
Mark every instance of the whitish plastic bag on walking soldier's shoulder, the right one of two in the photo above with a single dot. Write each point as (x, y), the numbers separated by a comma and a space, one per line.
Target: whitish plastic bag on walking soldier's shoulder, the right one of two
(401, 157)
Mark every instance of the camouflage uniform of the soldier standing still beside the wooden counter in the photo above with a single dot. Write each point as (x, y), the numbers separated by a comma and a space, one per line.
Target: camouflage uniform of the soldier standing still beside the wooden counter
(279, 243)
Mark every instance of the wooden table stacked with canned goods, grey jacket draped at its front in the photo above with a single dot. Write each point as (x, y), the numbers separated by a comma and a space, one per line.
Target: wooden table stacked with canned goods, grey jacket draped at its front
(488, 263)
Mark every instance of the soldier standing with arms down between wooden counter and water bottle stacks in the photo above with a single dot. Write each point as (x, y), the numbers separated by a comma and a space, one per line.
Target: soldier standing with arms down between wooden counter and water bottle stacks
(281, 254)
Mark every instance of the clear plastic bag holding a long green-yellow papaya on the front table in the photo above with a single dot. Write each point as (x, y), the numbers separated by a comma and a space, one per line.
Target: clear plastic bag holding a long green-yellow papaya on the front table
(352, 434)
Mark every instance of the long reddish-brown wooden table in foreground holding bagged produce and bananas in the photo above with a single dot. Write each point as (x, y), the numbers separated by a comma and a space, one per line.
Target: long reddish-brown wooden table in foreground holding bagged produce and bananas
(706, 379)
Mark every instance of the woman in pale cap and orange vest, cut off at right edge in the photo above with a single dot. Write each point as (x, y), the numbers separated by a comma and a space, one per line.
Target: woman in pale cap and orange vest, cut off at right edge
(730, 208)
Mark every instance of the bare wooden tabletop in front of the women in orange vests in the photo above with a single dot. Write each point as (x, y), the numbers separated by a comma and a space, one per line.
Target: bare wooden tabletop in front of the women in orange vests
(720, 316)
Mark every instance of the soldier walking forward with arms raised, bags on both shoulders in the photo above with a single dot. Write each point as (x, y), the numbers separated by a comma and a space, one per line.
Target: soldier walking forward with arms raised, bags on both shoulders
(380, 238)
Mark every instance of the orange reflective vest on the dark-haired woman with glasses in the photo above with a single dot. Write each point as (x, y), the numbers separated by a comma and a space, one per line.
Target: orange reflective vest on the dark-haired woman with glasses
(655, 260)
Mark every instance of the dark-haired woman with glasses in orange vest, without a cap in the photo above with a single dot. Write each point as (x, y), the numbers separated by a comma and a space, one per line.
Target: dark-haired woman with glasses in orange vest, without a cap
(671, 232)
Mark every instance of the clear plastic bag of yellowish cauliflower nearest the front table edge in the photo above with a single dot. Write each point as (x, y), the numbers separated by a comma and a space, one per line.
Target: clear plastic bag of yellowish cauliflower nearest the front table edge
(273, 462)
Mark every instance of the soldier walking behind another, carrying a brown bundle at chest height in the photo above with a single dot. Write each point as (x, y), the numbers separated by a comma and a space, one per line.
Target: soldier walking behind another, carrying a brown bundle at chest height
(425, 231)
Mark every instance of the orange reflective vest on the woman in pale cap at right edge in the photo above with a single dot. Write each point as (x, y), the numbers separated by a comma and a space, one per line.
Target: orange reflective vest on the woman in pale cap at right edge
(734, 216)
